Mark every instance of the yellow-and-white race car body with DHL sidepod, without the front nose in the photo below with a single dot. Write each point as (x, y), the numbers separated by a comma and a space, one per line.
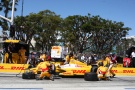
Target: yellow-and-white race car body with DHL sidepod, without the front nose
(75, 68)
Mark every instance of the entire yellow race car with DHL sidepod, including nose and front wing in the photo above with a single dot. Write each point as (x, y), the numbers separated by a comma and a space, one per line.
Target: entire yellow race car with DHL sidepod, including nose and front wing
(74, 68)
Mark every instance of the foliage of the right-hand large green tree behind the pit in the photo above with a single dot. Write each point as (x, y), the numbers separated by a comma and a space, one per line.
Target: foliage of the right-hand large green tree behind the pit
(93, 33)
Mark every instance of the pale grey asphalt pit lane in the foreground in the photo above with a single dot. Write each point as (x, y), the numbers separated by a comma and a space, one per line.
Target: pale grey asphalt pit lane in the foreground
(13, 82)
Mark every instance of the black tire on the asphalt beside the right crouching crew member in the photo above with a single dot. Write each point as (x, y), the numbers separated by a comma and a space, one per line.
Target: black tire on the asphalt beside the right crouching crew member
(90, 76)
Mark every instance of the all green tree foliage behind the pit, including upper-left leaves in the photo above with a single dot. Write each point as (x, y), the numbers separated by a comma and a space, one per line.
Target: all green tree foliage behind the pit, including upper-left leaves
(79, 33)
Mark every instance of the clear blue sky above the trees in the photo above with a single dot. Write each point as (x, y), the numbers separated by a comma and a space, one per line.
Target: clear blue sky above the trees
(115, 10)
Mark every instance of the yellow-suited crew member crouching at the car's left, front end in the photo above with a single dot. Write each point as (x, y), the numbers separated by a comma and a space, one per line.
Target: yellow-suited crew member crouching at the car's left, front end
(44, 67)
